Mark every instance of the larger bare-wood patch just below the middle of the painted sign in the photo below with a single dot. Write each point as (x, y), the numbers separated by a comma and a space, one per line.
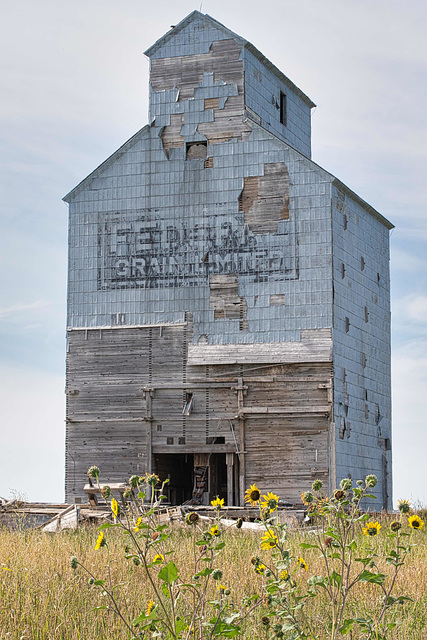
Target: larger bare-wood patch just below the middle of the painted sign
(225, 300)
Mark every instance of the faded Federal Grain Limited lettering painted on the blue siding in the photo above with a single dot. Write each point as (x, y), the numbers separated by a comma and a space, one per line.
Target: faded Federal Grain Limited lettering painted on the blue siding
(147, 251)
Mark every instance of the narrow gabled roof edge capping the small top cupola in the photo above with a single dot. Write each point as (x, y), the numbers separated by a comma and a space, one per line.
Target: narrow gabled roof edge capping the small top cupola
(197, 15)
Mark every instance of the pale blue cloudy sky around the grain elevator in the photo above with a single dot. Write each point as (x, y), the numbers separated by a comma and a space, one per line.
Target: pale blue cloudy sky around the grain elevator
(74, 82)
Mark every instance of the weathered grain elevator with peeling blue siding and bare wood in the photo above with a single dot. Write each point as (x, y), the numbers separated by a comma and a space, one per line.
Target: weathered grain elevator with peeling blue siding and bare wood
(228, 299)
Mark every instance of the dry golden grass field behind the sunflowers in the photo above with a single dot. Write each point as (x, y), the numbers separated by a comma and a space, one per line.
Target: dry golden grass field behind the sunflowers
(42, 597)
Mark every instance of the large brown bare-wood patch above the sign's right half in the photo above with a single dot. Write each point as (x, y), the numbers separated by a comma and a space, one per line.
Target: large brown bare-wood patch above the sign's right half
(265, 199)
